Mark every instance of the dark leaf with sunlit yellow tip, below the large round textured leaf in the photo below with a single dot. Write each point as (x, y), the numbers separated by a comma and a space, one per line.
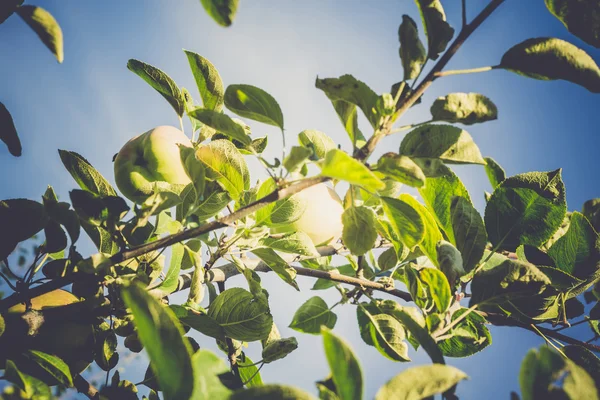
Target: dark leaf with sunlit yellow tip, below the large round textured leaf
(506, 281)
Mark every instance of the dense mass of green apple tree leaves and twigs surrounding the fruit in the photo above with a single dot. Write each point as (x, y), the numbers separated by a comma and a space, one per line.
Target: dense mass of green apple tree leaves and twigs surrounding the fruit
(525, 262)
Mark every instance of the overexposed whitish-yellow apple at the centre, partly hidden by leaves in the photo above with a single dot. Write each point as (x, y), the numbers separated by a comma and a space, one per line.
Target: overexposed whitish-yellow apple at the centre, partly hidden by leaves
(322, 217)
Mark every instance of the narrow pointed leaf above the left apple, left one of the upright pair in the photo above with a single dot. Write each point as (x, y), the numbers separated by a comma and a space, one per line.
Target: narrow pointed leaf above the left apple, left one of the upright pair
(161, 82)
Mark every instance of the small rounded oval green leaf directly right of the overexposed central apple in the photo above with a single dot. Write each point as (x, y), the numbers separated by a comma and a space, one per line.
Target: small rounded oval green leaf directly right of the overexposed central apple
(359, 233)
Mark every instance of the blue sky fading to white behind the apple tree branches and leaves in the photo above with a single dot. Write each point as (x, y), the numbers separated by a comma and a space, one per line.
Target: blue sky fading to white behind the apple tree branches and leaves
(92, 104)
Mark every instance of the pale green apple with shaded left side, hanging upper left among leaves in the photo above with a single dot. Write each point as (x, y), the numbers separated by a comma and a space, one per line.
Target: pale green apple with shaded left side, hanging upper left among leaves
(150, 157)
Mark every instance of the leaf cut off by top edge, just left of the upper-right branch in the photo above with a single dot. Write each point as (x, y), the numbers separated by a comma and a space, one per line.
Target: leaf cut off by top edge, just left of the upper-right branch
(437, 30)
